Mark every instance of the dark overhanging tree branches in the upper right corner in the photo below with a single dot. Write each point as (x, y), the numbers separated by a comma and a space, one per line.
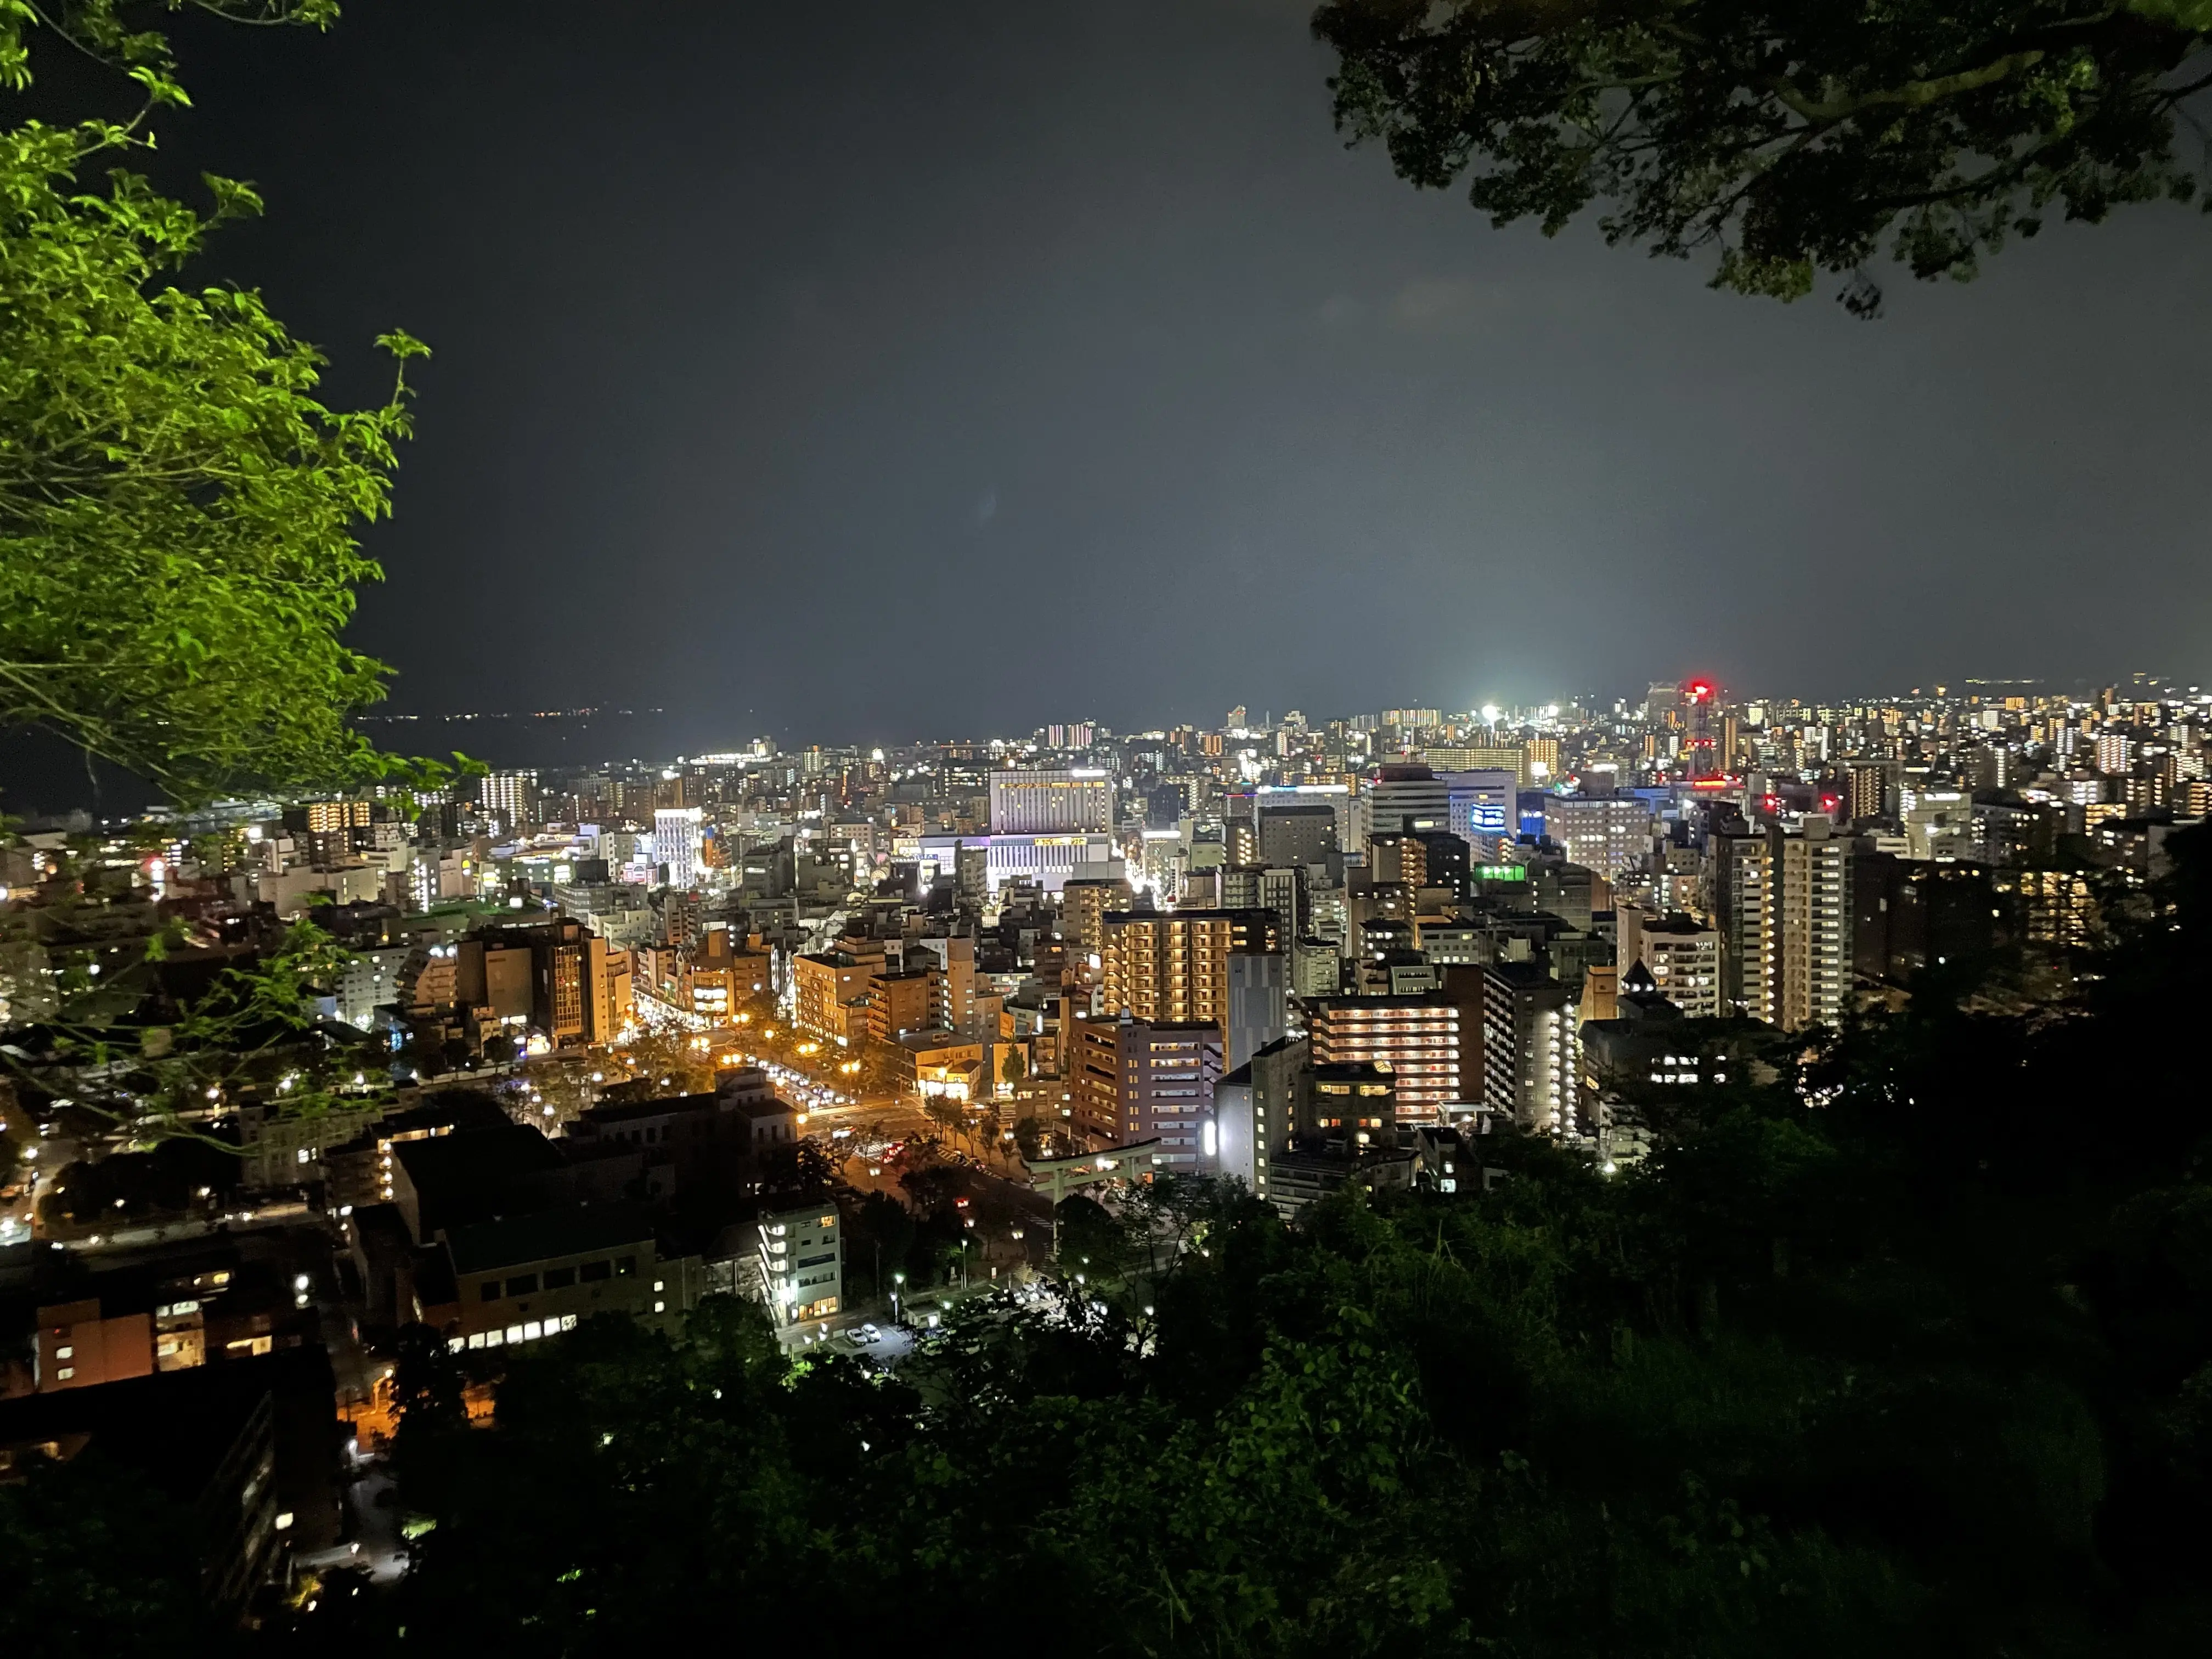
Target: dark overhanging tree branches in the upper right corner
(1784, 140)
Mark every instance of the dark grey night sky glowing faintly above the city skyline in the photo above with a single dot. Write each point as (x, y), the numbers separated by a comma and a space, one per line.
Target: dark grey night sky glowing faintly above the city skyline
(886, 371)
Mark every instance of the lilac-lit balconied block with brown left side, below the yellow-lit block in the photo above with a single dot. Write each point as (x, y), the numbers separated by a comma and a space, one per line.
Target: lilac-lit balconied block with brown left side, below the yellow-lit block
(1138, 1081)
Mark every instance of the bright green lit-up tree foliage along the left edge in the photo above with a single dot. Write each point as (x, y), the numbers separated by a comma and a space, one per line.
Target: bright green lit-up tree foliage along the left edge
(178, 512)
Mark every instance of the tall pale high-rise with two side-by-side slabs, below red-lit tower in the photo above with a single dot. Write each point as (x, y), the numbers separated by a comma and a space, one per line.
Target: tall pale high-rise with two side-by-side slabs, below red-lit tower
(1784, 901)
